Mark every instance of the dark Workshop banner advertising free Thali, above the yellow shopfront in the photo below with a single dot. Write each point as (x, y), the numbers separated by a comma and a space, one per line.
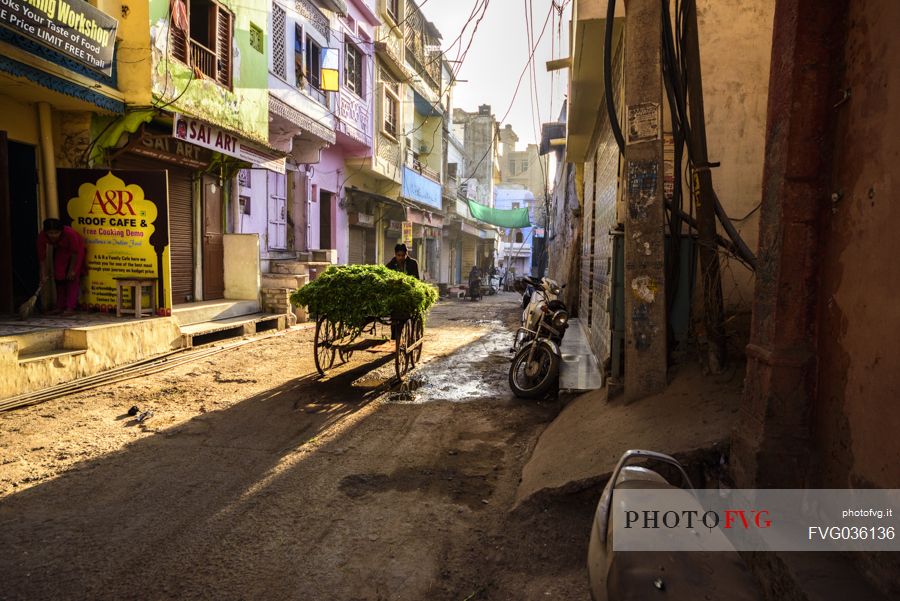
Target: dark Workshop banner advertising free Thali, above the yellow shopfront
(73, 28)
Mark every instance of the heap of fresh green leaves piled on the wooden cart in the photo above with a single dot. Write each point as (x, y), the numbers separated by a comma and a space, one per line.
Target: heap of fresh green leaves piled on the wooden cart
(354, 293)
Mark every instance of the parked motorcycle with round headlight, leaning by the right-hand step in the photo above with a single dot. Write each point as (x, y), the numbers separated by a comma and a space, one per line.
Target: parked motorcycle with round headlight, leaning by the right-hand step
(535, 365)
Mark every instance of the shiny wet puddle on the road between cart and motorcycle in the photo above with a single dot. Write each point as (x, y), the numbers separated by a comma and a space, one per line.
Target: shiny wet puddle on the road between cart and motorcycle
(477, 371)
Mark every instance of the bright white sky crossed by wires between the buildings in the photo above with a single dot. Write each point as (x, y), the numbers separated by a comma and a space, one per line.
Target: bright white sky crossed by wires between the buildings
(498, 55)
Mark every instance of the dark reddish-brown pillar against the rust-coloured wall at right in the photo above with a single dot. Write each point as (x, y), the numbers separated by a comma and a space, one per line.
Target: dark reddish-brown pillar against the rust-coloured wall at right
(771, 446)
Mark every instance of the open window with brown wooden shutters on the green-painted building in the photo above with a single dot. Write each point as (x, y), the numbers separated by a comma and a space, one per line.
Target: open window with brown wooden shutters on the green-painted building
(201, 37)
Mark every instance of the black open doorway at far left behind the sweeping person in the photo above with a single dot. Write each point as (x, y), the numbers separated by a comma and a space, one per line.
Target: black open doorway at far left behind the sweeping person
(19, 223)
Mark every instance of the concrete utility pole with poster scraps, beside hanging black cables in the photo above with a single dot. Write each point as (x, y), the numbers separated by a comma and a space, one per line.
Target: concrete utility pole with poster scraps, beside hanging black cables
(645, 296)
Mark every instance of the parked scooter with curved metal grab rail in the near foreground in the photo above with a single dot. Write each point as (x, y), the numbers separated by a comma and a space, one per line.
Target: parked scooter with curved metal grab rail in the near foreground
(633, 575)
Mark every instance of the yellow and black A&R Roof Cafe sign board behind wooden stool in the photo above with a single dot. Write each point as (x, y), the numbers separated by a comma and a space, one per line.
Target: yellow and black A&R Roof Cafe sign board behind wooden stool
(123, 217)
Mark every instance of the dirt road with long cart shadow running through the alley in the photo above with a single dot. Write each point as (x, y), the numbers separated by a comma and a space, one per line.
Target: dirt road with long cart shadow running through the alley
(255, 480)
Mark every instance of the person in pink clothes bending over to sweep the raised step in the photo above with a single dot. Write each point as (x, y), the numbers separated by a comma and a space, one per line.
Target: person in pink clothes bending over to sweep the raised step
(68, 262)
